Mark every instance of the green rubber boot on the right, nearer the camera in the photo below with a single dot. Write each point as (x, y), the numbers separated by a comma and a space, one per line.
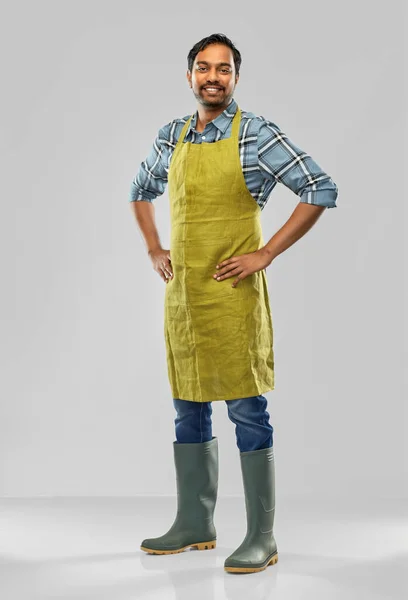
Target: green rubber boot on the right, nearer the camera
(258, 550)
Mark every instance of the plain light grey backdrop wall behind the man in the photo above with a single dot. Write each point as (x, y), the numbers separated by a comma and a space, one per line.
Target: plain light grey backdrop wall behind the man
(86, 406)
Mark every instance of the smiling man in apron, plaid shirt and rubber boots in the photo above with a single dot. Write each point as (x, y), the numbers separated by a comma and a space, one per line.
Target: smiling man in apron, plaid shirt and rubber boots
(221, 165)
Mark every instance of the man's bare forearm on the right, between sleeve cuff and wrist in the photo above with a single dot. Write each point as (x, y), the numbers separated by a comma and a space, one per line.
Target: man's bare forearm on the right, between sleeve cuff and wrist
(301, 220)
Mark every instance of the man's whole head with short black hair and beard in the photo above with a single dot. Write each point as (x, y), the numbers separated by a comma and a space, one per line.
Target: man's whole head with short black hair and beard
(213, 61)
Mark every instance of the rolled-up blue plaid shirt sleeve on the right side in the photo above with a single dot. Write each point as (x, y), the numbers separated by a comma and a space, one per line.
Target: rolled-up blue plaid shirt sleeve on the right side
(280, 159)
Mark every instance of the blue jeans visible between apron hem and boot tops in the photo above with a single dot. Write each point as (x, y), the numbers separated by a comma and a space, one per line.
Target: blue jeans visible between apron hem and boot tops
(252, 428)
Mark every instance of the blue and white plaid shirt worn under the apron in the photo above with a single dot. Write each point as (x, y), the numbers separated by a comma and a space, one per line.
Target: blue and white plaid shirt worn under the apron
(266, 153)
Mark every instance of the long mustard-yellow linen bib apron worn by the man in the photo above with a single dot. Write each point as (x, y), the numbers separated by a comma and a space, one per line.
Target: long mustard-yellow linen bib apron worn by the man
(219, 339)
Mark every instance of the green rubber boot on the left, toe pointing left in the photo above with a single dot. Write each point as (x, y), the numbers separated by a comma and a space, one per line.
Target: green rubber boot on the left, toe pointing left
(197, 487)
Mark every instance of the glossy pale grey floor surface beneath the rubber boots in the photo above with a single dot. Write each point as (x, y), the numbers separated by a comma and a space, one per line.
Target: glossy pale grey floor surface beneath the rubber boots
(88, 548)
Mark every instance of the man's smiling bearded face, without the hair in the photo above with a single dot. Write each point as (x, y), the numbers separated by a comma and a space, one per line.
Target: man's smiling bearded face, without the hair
(213, 66)
